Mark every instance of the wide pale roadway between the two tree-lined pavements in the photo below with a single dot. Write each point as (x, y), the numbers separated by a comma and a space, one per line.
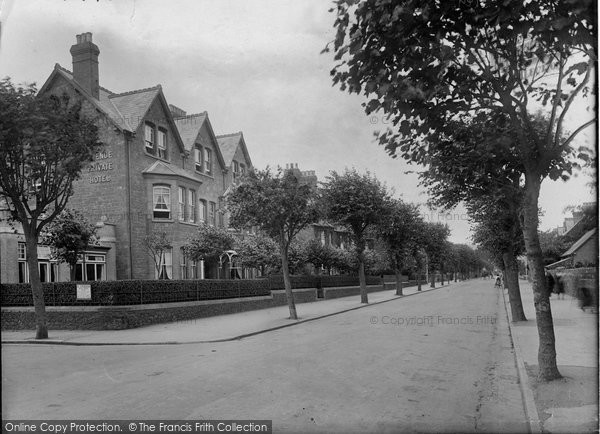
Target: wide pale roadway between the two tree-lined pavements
(438, 361)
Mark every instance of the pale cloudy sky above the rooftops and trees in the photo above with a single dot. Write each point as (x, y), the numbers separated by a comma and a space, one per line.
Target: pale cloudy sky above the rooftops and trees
(255, 66)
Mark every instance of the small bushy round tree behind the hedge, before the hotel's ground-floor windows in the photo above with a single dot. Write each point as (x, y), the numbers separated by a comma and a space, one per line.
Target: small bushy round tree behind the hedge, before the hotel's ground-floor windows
(68, 236)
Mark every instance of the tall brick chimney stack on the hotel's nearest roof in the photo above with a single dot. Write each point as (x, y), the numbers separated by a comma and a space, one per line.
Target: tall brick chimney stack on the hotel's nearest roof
(85, 64)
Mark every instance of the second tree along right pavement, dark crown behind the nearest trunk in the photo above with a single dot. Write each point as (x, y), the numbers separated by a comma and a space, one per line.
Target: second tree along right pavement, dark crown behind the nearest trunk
(476, 164)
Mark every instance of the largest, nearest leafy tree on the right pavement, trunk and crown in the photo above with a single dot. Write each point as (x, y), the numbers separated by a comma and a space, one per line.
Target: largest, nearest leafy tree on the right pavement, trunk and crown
(425, 63)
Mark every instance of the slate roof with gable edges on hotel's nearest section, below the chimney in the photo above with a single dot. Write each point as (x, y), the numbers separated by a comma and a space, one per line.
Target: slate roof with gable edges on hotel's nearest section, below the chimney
(126, 110)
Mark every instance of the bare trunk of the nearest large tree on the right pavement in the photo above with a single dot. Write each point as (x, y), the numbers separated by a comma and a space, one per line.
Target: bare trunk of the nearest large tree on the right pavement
(547, 351)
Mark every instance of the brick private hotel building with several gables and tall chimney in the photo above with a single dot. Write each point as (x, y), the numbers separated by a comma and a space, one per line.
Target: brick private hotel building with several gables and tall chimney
(160, 170)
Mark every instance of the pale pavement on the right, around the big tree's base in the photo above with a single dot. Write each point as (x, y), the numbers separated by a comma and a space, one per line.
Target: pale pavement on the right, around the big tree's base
(569, 404)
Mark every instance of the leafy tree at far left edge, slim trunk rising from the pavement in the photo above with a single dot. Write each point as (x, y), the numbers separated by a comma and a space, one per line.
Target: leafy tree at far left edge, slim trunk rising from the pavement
(45, 142)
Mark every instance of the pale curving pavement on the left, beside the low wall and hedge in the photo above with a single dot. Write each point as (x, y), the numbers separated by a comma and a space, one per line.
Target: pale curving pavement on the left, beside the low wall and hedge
(212, 329)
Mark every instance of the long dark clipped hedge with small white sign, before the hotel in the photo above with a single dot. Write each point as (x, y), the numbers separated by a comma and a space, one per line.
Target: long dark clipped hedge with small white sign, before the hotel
(128, 292)
